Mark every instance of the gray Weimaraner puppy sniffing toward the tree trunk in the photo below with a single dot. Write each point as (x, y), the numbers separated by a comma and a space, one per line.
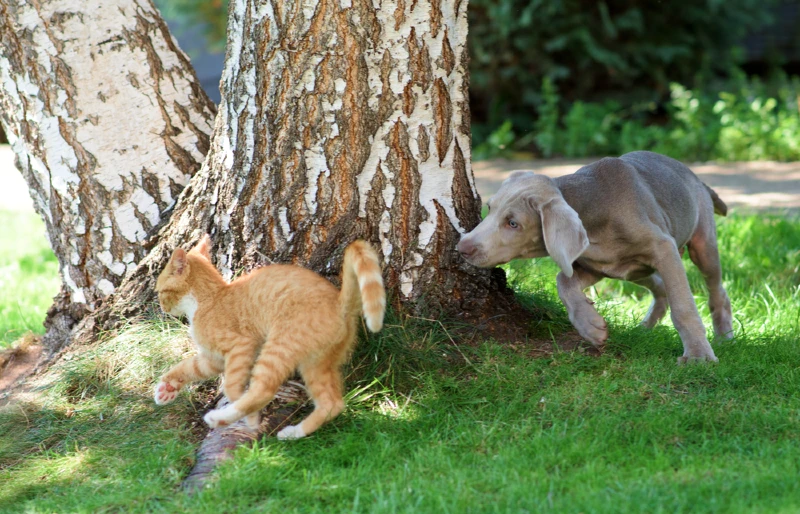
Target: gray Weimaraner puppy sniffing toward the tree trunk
(627, 218)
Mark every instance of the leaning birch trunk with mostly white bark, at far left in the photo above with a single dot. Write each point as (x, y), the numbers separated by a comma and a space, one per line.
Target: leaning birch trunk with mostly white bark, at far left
(108, 122)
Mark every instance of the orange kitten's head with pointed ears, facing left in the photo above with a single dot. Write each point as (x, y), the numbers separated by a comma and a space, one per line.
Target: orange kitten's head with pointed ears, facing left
(174, 284)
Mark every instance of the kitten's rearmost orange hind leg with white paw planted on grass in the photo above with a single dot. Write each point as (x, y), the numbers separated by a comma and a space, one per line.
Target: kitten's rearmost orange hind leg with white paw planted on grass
(324, 384)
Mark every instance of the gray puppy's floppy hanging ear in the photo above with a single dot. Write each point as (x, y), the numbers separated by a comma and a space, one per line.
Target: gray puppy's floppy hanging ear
(563, 233)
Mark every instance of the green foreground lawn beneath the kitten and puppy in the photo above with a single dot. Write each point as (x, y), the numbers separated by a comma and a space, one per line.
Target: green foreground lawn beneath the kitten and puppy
(446, 428)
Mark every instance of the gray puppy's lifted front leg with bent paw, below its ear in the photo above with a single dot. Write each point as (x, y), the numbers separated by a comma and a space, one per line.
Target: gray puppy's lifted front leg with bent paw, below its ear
(584, 317)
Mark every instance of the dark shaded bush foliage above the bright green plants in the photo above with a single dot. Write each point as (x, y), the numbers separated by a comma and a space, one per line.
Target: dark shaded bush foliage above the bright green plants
(630, 51)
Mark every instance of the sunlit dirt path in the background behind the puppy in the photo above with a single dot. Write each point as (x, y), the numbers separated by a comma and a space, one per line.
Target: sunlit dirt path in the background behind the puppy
(747, 186)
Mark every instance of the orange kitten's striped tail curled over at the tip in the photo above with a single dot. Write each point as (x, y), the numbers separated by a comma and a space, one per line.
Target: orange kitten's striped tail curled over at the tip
(362, 285)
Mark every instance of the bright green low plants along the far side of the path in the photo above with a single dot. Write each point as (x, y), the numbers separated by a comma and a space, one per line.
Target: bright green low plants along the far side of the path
(743, 120)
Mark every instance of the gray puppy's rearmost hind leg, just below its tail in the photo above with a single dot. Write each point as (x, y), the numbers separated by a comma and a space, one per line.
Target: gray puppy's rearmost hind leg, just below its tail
(705, 255)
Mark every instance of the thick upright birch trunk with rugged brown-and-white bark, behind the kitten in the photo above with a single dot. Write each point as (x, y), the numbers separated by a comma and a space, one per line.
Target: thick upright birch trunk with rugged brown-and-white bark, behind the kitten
(340, 120)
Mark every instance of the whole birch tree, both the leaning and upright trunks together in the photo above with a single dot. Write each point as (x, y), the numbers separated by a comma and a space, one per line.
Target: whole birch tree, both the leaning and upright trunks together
(339, 120)
